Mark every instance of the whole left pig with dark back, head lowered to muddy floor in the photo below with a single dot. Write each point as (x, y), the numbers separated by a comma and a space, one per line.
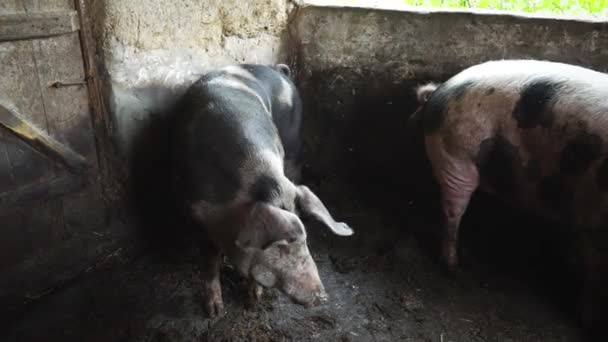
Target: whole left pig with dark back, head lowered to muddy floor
(237, 141)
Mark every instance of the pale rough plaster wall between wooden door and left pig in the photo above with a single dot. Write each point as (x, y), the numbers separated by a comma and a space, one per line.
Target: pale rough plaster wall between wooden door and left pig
(151, 49)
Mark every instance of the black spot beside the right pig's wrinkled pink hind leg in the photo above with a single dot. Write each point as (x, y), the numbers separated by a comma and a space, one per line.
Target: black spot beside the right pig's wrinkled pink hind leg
(499, 164)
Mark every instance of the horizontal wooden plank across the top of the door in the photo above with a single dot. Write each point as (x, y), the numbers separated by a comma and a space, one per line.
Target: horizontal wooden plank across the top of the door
(19, 26)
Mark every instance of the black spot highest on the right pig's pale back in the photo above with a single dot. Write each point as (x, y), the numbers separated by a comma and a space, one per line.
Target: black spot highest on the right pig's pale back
(532, 109)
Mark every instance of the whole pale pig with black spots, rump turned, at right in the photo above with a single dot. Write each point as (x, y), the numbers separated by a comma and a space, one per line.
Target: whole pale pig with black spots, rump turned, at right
(531, 132)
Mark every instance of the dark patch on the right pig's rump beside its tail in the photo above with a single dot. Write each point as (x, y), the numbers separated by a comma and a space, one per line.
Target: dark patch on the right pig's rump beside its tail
(435, 108)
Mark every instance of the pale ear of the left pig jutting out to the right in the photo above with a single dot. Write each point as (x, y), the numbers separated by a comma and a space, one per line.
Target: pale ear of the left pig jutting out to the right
(308, 203)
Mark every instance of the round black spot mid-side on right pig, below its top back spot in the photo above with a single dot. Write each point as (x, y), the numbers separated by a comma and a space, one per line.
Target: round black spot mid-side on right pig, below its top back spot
(579, 153)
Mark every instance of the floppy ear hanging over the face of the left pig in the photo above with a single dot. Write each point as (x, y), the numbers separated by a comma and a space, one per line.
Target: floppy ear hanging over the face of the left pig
(268, 224)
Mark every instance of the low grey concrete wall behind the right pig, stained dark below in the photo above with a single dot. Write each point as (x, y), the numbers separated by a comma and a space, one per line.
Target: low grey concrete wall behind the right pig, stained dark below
(357, 68)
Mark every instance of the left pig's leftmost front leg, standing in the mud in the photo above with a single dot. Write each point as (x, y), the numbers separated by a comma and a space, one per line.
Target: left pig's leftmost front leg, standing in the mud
(212, 288)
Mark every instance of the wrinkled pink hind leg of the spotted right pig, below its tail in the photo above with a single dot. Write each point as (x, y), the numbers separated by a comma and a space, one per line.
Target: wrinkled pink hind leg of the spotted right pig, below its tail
(458, 180)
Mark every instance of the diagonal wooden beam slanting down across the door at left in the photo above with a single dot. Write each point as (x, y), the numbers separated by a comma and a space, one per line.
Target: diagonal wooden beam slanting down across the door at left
(74, 162)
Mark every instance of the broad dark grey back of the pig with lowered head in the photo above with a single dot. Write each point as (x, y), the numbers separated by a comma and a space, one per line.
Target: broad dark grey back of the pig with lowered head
(223, 129)
